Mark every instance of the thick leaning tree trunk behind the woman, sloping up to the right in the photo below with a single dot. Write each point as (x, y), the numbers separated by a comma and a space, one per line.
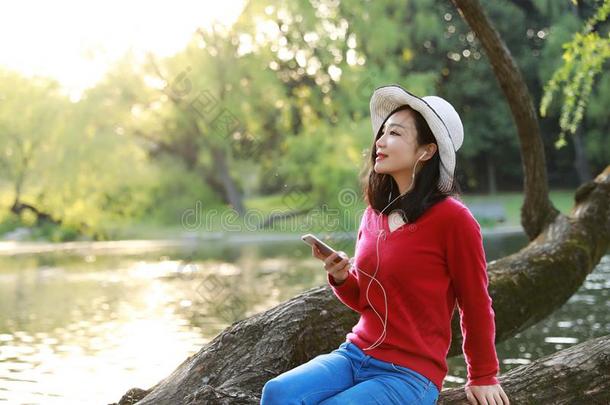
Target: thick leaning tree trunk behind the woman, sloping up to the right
(525, 287)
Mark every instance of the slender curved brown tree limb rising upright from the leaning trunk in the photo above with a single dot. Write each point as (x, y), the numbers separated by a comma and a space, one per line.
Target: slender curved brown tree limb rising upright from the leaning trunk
(537, 211)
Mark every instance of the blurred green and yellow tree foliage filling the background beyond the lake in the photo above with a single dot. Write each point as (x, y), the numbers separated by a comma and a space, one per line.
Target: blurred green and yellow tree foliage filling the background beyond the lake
(142, 146)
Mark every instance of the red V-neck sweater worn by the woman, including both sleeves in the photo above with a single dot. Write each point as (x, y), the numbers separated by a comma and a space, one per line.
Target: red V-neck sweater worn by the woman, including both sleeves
(424, 267)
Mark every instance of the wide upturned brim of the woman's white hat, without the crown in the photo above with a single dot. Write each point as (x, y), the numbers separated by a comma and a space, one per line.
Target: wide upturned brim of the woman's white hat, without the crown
(387, 99)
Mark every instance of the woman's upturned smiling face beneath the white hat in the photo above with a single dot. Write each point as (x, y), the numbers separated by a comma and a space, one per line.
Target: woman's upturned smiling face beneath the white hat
(397, 145)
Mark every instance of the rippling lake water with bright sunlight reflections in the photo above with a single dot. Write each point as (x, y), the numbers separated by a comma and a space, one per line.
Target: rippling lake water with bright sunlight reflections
(83, 326)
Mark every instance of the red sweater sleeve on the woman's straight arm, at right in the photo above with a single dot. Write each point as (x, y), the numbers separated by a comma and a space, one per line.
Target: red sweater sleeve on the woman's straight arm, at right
(467, 267)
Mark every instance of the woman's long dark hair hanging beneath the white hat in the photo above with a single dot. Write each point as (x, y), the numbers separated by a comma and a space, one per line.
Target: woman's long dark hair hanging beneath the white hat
(425, 192)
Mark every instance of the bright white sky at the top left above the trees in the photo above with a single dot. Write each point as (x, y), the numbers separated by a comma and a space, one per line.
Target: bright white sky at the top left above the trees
(76, 41)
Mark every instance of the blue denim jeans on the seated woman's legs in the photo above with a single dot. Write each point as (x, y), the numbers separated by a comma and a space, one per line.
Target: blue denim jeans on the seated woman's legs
(349, 376)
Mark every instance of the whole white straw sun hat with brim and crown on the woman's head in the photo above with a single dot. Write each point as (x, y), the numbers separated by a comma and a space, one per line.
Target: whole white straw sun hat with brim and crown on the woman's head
(443, 120)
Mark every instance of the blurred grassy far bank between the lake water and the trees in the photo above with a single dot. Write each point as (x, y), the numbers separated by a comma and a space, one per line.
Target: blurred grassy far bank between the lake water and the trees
(497, 214)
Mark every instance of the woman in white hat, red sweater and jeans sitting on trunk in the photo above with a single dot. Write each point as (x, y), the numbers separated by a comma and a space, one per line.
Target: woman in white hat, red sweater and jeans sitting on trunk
(410, 268)
